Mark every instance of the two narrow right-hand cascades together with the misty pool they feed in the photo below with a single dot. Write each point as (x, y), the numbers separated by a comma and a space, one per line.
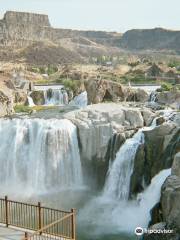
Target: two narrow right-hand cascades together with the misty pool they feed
(112, 212)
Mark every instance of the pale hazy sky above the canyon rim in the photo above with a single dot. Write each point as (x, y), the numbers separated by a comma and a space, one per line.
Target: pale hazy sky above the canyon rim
(109, 15)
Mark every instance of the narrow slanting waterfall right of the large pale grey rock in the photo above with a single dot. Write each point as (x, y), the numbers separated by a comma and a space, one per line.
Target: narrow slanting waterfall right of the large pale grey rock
(118, 181)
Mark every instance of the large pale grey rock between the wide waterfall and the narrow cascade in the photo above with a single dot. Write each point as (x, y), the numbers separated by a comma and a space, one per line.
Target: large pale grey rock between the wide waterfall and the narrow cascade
(98, 127)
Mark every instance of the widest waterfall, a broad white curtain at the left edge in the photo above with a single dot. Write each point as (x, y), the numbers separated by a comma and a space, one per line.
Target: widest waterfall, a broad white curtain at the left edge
(39, 155)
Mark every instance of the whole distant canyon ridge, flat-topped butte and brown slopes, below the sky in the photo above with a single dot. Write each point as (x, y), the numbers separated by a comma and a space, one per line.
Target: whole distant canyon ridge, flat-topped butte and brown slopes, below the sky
(30, 38)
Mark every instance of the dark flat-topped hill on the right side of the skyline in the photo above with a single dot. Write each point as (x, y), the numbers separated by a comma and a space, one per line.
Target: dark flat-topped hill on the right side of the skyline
(151, 39)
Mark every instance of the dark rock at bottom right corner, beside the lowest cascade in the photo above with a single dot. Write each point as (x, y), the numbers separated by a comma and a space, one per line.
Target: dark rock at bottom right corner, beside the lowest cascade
(168, 207)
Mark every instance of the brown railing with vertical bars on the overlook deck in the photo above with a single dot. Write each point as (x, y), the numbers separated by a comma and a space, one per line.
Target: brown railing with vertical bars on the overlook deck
(46, 222)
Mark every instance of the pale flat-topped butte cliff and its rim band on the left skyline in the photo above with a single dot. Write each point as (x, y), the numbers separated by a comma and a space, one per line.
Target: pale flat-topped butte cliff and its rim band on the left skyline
(23, 28)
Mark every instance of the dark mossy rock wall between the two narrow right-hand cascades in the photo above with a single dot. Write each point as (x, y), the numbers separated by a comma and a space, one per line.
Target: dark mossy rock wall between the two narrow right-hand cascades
(157, 153)
